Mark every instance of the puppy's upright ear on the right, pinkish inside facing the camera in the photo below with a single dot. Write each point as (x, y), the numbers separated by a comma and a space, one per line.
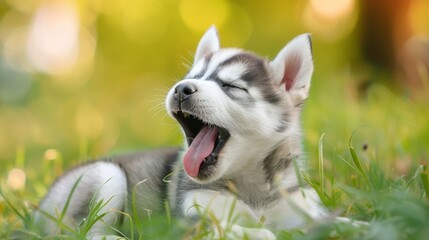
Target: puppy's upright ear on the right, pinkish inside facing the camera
(293, 67)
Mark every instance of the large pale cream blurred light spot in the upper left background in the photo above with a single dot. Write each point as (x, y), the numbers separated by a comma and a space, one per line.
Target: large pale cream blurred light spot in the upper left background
(53, 41)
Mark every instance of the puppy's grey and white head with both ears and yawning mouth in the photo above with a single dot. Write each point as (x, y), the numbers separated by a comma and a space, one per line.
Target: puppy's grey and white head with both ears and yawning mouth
(235, 107)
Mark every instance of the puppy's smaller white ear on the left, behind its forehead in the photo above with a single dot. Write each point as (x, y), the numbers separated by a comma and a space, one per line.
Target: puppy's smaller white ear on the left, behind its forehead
(208, 44)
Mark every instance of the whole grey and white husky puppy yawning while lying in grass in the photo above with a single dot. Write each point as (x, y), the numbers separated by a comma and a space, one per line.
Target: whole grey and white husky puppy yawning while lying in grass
(240, 116)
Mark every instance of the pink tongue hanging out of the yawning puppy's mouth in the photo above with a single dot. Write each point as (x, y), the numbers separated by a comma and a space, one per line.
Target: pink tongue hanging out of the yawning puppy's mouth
(201, 147)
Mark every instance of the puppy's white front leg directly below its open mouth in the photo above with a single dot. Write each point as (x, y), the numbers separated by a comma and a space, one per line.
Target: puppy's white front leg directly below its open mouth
(231, 213)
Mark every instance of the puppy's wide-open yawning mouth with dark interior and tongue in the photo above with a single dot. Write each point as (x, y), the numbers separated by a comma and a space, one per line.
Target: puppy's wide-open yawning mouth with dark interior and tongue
(205, 141)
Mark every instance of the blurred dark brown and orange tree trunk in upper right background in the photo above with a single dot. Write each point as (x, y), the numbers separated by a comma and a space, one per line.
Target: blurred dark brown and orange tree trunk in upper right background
(385, 31)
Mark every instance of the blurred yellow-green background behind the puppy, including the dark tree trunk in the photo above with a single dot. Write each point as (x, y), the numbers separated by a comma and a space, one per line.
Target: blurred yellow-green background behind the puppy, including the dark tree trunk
(84, 79)
